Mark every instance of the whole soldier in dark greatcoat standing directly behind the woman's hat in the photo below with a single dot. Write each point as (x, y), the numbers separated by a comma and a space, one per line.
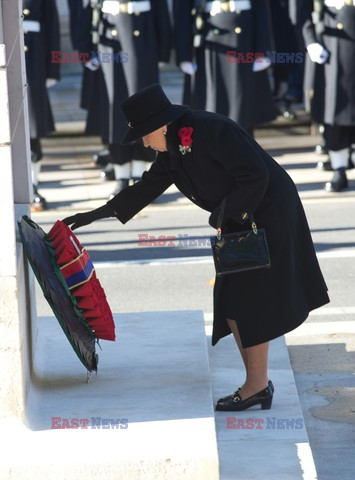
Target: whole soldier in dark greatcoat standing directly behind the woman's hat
(132, 38)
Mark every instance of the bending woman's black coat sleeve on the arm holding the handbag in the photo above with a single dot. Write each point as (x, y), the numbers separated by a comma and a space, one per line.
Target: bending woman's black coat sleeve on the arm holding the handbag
(238, 153)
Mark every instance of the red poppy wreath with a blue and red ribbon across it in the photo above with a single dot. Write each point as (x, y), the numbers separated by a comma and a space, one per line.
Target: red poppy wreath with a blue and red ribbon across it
(77, 270)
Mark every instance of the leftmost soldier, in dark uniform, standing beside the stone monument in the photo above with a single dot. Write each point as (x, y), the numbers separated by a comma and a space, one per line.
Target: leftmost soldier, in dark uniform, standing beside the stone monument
(41, 30)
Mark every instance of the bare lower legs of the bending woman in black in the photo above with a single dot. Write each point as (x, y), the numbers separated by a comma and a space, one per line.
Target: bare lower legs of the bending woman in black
(256, 363)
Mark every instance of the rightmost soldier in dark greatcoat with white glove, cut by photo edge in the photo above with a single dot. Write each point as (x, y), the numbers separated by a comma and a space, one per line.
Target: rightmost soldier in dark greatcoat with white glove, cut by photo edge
(329, 35)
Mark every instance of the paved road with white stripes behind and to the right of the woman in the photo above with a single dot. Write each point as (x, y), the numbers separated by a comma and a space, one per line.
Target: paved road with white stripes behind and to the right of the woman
(139, 278)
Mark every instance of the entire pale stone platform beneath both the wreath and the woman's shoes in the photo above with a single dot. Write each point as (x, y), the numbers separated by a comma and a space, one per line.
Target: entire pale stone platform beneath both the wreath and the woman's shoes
(149, 412)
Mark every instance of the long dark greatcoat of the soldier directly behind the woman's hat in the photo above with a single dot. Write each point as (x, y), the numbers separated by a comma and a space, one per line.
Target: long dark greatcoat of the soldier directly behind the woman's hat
(142, 40)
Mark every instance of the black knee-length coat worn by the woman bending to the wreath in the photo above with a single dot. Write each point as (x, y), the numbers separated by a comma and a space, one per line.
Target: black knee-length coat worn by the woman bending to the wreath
(227, 161)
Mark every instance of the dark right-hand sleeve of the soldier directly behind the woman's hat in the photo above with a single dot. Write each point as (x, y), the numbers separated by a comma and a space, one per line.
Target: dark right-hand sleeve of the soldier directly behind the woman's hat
(163, 29)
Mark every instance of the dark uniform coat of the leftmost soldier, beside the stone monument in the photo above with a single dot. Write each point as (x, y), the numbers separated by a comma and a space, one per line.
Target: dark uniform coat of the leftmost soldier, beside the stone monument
(39, 65)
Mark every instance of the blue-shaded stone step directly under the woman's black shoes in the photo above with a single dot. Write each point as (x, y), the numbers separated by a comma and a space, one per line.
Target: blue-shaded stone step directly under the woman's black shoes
(274, 443)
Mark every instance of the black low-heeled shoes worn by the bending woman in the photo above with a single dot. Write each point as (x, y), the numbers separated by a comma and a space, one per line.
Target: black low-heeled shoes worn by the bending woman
(234, 403)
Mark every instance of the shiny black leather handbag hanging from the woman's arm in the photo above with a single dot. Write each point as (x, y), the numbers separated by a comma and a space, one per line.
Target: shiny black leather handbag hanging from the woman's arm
(239, 251)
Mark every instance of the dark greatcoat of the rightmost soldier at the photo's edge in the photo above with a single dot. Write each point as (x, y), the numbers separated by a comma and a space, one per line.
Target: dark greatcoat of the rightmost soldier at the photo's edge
(330, 88)
